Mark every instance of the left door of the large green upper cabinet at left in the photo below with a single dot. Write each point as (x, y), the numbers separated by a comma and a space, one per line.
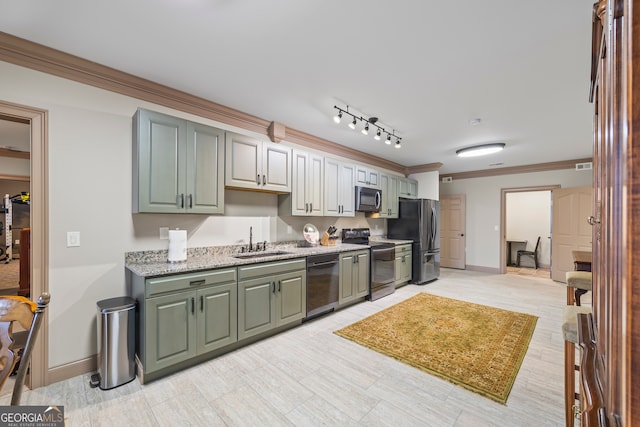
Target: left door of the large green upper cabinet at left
(159, 163)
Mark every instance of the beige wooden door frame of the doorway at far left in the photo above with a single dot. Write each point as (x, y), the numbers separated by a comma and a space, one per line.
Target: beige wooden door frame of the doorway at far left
(39, 197)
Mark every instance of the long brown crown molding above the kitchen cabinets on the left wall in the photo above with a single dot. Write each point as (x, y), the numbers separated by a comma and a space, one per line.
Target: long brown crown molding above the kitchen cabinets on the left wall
(38, 57)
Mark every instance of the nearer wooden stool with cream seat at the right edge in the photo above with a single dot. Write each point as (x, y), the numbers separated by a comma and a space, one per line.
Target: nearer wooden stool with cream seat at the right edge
(570, 335)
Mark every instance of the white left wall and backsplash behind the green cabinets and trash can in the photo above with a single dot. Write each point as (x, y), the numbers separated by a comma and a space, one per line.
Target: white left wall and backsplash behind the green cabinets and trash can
(90, 137)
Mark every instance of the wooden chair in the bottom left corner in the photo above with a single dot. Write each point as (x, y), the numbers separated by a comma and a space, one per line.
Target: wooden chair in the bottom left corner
(12, 351)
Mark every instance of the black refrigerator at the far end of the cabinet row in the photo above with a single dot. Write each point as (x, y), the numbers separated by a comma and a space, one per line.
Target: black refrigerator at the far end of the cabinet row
(418, 220)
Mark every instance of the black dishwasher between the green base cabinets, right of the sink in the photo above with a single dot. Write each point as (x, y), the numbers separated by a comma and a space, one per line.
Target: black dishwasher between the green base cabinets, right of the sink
(322, 284)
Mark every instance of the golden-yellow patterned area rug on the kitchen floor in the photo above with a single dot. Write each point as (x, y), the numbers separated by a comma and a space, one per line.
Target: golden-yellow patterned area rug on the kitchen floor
(474, 346)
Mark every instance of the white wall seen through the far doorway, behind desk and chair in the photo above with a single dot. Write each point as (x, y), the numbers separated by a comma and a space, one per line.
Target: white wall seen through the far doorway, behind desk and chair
(527, 216)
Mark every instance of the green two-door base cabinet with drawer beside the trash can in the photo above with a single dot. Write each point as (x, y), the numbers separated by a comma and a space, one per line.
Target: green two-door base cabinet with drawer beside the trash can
(183, 316)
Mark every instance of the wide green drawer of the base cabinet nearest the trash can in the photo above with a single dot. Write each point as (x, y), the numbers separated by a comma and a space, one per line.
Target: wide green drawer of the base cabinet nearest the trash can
(160, 285)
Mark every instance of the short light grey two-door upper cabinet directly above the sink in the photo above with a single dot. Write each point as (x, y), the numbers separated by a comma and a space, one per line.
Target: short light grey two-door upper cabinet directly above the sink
(257, 165)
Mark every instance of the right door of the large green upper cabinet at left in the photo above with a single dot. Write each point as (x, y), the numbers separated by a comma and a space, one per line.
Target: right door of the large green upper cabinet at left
(205, 169)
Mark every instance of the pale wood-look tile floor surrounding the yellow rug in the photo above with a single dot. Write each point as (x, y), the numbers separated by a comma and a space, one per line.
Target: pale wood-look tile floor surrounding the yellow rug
(309, 376)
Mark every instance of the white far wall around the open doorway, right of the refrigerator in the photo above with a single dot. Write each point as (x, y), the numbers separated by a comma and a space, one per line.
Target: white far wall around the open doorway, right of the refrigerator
(483, 207)
